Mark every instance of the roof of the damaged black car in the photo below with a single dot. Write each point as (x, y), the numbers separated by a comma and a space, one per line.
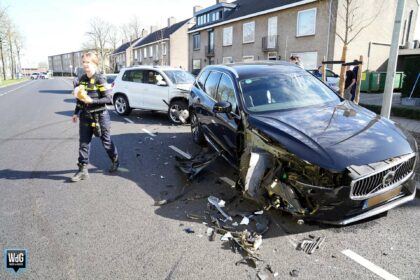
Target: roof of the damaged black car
(261, 68)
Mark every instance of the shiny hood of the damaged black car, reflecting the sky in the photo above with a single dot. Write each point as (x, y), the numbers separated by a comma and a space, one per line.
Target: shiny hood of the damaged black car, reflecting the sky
(334, 136)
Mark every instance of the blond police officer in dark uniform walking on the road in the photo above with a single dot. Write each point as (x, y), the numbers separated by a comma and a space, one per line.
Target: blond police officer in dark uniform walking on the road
(92, 95)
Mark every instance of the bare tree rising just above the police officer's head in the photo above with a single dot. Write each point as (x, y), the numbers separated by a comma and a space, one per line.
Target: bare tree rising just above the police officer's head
(99, 36)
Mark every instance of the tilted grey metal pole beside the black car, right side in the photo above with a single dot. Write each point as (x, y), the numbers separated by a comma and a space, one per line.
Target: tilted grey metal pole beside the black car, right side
(392, 61)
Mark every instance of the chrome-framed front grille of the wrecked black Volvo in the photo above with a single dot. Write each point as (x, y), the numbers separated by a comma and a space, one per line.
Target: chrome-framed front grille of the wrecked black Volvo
(381, 176)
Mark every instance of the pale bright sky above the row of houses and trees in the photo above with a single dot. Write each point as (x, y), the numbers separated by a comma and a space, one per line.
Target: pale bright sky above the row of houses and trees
(51, 27)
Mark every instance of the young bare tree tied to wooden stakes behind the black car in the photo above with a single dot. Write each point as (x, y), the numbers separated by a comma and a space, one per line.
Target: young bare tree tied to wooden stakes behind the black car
(352, 15)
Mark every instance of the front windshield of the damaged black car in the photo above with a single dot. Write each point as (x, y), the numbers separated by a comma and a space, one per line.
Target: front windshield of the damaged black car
(276, 91)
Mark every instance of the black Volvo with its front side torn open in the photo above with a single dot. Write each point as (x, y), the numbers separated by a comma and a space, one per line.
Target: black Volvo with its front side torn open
(298, 146)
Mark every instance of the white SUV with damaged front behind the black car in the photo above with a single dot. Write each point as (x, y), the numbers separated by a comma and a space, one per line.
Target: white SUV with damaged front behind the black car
(156, 88)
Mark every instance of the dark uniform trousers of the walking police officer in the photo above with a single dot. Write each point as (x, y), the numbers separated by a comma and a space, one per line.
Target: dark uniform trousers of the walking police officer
(86, 133)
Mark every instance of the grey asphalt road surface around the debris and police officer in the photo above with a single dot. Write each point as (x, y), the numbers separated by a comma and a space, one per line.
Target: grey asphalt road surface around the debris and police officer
(108, 227)
